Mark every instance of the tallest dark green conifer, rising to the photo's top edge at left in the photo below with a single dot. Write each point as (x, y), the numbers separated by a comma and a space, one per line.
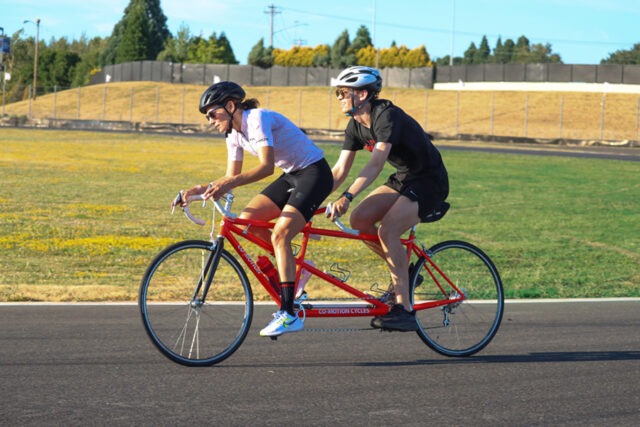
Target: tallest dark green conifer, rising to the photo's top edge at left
(143, 31)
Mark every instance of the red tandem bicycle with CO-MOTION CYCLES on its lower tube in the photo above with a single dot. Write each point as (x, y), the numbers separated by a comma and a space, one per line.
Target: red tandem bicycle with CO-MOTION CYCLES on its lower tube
(197, 304)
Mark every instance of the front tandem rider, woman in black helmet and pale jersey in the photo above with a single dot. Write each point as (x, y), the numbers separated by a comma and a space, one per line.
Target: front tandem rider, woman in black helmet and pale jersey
(292, 198)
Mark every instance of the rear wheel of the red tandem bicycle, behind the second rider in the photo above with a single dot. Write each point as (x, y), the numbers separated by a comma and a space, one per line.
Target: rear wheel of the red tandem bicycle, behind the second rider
(467, 324)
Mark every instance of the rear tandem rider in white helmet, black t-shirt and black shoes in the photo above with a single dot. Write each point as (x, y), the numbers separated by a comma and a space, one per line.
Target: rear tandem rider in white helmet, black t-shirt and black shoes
(415, 193)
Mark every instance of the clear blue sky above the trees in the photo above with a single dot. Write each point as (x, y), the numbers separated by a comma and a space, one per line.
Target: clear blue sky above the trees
(581, 31)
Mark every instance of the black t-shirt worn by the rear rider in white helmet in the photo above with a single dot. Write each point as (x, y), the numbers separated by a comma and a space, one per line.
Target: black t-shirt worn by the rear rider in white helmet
(412, 152)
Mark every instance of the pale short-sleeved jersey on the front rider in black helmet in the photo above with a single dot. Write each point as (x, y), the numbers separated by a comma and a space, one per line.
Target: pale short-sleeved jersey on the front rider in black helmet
(293, 150)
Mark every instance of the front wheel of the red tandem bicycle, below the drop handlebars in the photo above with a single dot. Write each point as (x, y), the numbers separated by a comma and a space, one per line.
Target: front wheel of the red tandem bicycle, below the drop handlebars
(196, 303)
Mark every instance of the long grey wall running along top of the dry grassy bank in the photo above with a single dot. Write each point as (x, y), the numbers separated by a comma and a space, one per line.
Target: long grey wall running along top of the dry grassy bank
(206, 74)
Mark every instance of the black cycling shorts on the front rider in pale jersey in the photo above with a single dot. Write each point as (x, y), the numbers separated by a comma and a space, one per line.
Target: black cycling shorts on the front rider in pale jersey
(304, 189)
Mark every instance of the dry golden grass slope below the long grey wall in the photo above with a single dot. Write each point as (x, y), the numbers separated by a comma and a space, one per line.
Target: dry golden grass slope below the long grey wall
(552, 115)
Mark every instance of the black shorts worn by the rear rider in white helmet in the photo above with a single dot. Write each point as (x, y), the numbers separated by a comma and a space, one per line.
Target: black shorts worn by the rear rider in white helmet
(428, 192)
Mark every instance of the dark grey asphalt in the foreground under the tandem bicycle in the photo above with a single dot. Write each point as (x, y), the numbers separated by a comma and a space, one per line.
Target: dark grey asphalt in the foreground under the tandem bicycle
(552, 363)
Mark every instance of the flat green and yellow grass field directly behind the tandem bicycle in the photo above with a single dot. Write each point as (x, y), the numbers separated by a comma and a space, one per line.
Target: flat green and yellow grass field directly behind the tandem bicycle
(82, 214)
